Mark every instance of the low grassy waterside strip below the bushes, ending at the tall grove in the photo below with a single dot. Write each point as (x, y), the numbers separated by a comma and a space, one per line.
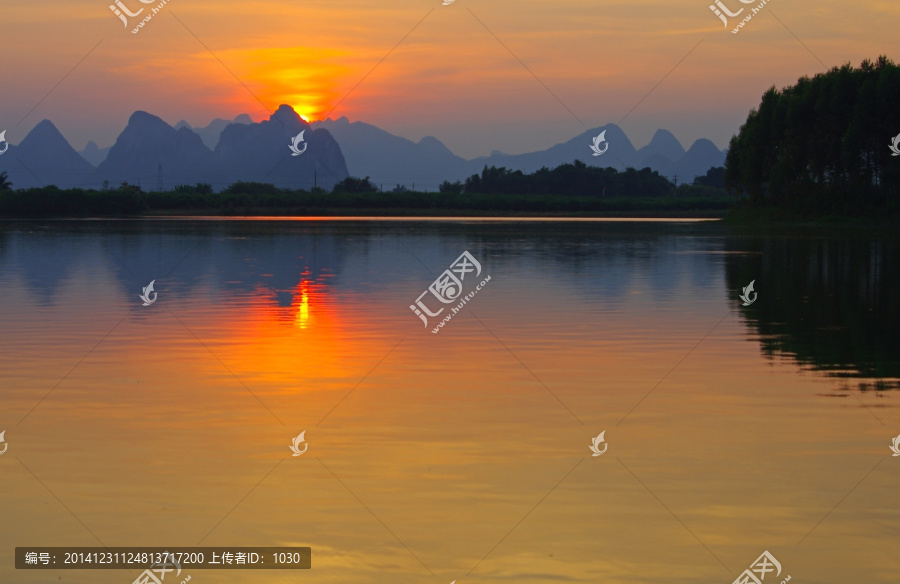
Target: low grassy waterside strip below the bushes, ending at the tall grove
(75, 204)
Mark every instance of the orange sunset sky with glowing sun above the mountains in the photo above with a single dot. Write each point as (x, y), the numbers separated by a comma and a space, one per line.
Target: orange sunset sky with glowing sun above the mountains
(452, 77)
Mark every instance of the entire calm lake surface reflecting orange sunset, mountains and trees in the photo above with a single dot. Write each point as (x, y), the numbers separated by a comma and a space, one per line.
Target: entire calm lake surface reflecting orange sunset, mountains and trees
(462, 455)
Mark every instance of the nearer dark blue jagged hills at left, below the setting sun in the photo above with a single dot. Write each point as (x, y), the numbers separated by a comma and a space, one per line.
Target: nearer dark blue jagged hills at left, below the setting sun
(148, 147)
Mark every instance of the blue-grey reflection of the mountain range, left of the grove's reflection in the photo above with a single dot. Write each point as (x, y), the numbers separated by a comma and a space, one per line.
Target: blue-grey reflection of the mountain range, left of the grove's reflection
(238, 257)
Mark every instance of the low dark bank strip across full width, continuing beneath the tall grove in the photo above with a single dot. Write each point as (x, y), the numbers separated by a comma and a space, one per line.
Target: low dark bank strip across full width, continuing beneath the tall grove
(260, 200)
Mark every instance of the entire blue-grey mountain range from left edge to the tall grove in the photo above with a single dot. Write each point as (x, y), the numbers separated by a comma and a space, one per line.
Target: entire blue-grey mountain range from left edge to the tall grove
(227, 151)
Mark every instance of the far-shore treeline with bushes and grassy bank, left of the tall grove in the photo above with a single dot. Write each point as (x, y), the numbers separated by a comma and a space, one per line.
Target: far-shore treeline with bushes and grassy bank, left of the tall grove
(570, 190)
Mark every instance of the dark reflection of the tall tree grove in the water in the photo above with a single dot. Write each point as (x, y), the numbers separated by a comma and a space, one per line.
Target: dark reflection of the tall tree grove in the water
(828, 302)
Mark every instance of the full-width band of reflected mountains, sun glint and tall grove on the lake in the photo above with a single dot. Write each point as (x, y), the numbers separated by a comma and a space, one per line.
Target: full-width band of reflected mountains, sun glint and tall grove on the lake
(827, 301)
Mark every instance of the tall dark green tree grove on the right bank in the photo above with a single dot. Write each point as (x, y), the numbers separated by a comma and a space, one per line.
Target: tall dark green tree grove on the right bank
(822, 144)
